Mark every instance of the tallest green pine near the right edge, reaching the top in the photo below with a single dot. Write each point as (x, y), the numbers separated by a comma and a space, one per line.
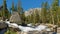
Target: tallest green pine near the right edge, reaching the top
(55, 6)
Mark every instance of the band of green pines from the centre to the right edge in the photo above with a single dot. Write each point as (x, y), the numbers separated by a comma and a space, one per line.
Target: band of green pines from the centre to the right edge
(49, 14)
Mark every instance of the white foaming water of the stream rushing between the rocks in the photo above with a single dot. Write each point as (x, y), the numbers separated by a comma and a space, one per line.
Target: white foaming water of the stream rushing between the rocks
(27, 29)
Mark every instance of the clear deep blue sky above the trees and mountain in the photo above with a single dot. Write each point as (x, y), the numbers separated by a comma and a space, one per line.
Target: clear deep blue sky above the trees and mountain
(26, 4)
